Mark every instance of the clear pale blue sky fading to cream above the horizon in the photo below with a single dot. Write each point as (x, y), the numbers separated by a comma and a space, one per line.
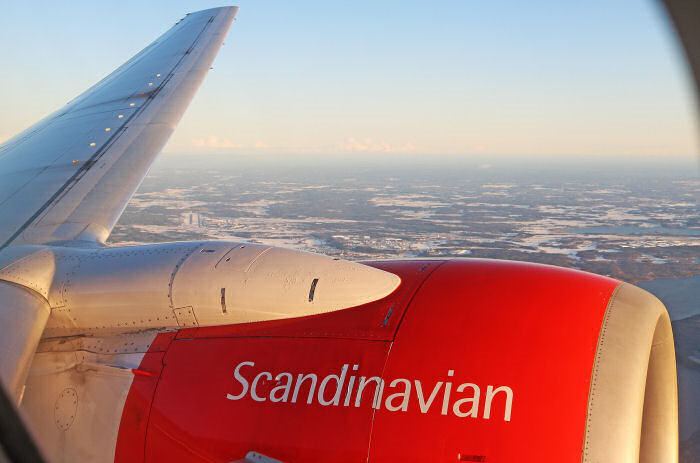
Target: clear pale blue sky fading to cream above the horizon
(461, 78)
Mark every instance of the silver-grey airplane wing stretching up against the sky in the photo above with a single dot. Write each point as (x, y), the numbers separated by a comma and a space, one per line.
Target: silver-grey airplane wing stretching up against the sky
(70, 176)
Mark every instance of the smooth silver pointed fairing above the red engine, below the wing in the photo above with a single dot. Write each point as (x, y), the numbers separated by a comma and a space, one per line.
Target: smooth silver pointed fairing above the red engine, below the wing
(103, 291)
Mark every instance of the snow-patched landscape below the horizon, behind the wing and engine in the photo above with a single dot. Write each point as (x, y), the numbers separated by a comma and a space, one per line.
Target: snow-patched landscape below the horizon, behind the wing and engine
(640, 224)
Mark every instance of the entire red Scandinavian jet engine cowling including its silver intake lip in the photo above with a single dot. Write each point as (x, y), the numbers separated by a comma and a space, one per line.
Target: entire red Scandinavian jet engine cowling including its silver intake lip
(468, 360)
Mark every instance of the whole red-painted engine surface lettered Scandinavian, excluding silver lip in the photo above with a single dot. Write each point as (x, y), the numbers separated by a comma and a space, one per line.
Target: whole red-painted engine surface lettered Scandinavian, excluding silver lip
(530, 328)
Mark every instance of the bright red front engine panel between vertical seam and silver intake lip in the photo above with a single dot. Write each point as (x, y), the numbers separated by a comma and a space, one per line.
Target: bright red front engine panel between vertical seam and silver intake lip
(532, 328)
